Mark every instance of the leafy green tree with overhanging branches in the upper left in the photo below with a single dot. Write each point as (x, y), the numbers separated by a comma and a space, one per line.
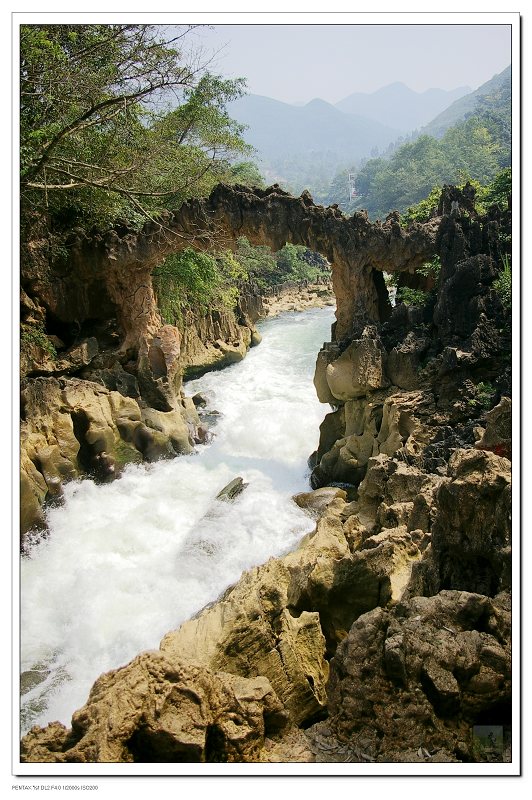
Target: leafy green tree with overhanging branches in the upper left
(120, 120)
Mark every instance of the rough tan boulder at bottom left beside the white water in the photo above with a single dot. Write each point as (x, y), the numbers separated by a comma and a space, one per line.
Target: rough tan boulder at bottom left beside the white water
(154, 710)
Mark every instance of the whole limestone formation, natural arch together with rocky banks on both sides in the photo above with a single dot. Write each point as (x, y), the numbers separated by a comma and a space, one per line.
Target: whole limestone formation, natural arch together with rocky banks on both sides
(392, 618)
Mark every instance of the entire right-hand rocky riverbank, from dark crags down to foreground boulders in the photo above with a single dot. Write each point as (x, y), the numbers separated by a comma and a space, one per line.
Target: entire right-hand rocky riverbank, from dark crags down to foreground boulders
(386, 635)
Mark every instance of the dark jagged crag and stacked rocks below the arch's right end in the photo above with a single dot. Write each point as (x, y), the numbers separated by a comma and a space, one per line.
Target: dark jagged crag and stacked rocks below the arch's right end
(446, 357)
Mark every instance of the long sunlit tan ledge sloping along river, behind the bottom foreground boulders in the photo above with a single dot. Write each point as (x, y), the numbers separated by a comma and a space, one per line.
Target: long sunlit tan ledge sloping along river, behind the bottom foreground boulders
(281, 619)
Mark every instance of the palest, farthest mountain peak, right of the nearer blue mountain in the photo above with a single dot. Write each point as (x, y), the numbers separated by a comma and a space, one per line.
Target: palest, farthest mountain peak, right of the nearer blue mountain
(400, 107)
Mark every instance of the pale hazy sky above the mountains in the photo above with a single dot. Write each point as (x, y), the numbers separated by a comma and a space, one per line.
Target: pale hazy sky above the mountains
(299, 62)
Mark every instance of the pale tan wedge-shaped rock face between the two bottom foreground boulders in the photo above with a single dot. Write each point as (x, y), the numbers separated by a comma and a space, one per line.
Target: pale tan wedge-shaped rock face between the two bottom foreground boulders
(251, 632)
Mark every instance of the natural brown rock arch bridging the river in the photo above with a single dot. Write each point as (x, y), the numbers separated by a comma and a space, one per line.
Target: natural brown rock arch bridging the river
(109, 274)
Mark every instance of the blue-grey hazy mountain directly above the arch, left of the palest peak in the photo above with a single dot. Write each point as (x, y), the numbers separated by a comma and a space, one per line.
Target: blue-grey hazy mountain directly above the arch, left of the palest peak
(305, 145)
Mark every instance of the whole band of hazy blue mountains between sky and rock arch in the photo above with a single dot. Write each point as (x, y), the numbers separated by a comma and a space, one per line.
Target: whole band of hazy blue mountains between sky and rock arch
(311, 146)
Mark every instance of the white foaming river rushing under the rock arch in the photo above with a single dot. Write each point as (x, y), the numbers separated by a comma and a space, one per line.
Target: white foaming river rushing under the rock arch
(128, 561)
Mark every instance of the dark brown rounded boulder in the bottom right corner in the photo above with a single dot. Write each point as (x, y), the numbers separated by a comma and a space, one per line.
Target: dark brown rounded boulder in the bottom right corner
(422, 674)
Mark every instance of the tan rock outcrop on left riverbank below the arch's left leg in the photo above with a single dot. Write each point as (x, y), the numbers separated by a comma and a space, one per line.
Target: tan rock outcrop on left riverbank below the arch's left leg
(72, 427)
